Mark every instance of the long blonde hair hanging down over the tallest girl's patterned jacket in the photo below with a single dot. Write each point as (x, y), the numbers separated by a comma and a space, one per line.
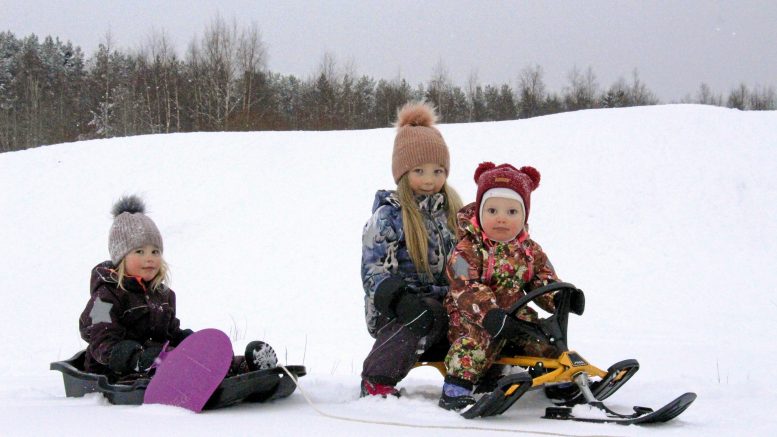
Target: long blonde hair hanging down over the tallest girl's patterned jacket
(416, 237)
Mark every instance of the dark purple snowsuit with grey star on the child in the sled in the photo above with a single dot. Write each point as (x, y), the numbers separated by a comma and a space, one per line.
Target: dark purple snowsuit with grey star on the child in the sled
(113, 315)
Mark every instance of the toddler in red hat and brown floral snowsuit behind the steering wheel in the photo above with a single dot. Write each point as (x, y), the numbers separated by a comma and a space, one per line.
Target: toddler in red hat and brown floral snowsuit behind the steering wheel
(494, 264)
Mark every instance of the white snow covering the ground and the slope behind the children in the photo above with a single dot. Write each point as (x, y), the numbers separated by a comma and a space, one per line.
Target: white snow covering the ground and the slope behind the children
(664, 215)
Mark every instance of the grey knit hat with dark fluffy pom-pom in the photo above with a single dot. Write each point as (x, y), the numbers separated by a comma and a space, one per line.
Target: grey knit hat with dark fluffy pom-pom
(131, 228)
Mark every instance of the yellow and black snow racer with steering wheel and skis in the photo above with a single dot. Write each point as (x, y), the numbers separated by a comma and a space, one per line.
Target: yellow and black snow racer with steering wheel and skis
(567, 380)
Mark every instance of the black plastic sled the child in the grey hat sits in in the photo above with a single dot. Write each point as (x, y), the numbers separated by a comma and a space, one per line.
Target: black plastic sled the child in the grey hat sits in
(257, 386)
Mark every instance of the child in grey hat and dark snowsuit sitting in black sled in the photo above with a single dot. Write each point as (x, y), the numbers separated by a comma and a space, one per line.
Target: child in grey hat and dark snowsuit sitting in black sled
(131, 312)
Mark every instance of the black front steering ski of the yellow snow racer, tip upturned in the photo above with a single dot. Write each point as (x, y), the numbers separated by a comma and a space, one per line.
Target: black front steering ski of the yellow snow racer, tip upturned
(641, 416)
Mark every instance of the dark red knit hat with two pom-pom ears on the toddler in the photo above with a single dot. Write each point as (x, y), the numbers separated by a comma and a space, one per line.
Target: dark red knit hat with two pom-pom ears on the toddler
(523, 181)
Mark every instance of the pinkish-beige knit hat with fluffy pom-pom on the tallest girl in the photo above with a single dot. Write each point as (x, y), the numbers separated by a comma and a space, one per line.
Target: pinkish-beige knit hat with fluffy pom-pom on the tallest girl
(417, 142)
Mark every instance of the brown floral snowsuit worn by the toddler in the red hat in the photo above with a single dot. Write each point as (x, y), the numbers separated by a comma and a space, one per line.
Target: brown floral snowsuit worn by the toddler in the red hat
(484, 275)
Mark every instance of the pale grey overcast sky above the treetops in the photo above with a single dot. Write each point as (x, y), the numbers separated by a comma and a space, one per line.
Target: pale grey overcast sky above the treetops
(674, 45)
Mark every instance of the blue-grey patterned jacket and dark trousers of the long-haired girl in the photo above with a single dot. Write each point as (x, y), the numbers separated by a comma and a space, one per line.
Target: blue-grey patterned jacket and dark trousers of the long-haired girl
(384, 254)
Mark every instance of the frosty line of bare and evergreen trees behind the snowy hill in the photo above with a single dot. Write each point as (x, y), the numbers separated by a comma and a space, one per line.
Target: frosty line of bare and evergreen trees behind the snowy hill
(51, 93)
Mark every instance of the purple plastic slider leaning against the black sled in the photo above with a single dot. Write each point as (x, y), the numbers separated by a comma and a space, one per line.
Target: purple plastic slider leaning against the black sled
(189, 374)
